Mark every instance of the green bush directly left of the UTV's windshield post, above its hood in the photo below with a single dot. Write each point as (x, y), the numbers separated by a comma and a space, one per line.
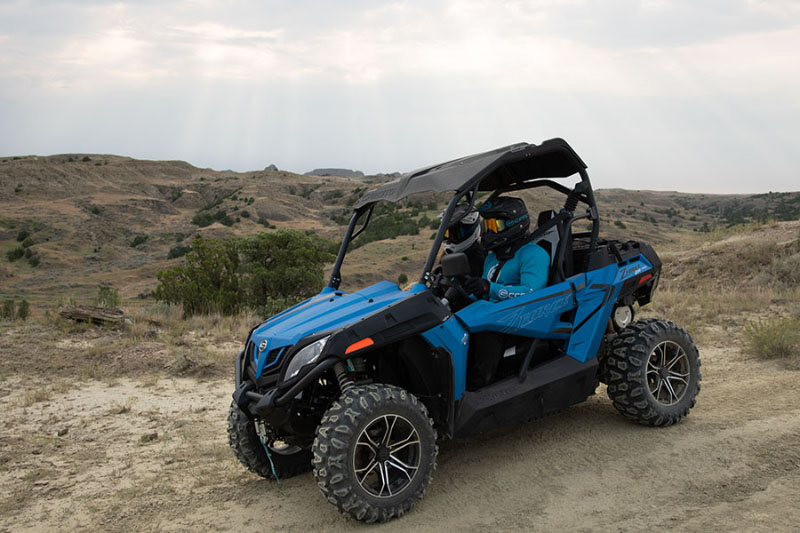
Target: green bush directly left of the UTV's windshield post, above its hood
(285, 264)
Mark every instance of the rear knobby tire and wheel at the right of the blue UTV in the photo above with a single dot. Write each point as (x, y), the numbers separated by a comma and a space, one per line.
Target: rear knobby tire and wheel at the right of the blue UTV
(653, 372)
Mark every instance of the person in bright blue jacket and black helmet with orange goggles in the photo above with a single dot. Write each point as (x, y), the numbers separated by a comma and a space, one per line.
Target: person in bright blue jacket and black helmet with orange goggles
(514, 266)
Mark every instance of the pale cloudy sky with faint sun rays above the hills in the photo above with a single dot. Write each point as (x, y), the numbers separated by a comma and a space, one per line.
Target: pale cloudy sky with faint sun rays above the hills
(694, 96)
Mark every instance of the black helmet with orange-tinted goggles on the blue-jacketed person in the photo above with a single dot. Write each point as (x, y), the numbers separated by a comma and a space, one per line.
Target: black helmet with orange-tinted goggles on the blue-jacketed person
(505, 223)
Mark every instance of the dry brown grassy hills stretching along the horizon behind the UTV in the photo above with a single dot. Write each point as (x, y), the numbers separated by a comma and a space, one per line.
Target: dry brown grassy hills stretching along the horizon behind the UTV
(88, 219)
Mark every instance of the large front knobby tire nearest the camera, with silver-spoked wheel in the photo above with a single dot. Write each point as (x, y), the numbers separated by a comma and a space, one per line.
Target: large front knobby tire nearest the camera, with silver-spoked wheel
(370, 432)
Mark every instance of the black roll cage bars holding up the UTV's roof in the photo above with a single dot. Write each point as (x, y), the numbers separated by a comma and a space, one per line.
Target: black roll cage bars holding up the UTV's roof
(581, 192)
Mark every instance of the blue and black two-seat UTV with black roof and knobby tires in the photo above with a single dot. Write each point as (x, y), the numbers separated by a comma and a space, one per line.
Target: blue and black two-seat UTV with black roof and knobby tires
(356, 387)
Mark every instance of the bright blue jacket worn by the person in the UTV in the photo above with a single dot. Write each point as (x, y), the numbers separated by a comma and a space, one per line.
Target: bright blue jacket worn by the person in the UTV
(525, 272)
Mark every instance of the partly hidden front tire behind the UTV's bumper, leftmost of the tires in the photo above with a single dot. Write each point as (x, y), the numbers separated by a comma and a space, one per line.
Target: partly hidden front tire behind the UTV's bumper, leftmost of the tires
(247, 447)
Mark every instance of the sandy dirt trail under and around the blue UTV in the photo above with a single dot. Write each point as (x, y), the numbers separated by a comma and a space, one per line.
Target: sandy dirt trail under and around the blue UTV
(733, 464)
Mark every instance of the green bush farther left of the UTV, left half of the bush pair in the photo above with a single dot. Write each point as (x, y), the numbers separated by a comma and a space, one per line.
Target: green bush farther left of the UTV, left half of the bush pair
(206, 282)
